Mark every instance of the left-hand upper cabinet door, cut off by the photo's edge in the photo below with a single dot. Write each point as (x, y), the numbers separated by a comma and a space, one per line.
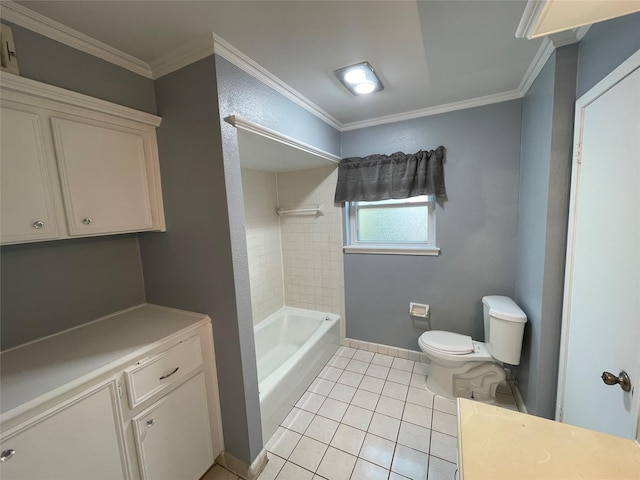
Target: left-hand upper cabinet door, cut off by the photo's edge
(26, 205)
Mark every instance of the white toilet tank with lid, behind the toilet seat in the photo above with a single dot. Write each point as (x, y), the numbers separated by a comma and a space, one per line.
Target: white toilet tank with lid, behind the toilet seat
(503, 328)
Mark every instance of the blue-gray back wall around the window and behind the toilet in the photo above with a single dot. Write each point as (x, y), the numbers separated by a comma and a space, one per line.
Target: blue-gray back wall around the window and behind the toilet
(476, 228)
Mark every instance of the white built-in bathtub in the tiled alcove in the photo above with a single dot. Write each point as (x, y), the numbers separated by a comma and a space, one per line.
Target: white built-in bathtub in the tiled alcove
(292, 347)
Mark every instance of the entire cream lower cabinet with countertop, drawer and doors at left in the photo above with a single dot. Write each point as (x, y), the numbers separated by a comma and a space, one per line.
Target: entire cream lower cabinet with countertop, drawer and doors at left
(130, 396)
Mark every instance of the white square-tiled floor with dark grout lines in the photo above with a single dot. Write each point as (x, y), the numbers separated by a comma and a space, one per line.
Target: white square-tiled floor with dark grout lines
(367, 416)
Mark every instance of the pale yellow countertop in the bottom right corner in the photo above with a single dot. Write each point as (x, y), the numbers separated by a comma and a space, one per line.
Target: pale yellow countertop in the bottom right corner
(495, 443)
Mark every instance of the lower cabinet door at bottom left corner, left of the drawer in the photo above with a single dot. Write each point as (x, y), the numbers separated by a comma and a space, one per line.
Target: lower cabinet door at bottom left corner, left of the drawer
(79, 439)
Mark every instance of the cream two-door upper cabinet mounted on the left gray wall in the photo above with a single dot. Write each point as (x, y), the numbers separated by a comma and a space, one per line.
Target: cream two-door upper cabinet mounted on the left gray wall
(75, 166)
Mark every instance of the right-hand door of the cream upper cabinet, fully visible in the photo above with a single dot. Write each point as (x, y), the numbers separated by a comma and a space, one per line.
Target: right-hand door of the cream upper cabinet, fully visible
(103, 176)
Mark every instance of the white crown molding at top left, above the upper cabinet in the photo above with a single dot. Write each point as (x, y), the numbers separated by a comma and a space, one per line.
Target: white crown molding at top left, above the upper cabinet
(42, 25)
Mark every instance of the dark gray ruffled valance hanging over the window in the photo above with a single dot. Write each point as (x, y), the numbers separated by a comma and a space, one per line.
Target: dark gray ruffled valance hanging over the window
(381, 177)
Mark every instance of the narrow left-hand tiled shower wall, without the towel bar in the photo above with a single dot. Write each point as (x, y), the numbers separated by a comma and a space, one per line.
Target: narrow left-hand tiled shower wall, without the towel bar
(263, 242)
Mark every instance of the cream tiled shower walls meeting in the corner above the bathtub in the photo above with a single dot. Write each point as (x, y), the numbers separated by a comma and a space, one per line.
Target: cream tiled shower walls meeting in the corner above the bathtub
(294, 260)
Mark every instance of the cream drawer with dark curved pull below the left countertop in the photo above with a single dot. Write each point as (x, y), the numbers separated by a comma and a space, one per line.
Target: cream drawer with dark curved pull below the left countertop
(150, 377)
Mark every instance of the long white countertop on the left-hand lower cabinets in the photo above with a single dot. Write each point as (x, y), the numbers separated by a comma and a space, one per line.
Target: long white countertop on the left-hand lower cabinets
(27, 372)
